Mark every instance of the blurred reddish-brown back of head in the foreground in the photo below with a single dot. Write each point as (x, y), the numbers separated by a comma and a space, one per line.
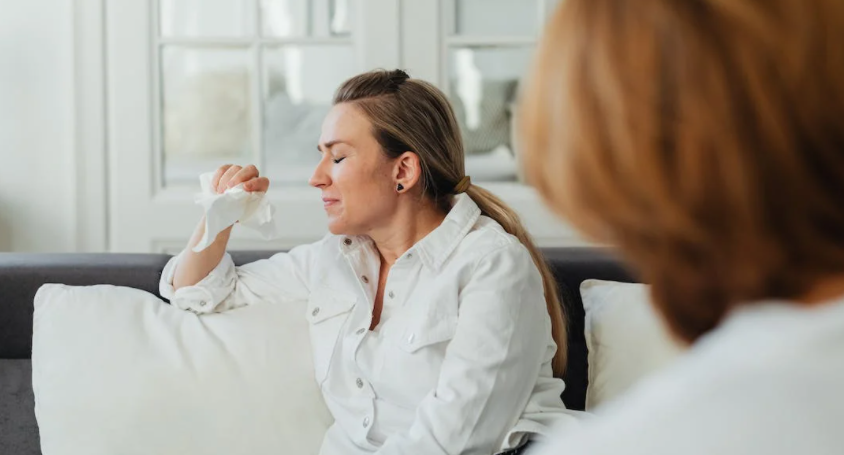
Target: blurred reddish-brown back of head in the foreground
(704, 138)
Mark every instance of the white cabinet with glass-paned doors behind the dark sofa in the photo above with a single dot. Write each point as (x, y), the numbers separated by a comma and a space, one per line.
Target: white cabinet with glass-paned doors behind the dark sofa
(193, 84)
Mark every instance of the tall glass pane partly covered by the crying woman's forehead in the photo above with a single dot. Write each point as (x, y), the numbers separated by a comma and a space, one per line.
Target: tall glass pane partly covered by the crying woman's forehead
(299, 83)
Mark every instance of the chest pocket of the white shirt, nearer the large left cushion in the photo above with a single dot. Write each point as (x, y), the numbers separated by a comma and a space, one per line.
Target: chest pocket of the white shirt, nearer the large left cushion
(328, 311)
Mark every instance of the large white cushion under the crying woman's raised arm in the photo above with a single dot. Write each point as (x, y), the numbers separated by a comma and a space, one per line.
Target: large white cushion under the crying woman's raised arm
(116, 370)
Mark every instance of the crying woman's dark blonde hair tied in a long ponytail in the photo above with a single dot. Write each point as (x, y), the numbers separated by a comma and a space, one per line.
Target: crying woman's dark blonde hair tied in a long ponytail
(413, 115)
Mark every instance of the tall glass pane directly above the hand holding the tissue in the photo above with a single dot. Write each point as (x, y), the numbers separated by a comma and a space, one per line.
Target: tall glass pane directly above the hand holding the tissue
(206, 109)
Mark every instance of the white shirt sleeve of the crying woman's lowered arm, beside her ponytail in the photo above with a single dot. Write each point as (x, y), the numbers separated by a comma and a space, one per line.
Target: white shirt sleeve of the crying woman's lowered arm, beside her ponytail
(491, 365)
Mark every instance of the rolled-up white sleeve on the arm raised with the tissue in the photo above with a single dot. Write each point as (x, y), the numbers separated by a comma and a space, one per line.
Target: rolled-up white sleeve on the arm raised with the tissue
(281, 277)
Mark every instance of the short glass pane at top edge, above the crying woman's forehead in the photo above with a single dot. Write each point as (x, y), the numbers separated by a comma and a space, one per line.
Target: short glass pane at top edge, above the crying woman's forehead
(286, 18)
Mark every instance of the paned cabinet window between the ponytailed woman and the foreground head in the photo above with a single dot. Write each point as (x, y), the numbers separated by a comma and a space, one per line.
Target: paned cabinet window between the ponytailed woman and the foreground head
(487, 46)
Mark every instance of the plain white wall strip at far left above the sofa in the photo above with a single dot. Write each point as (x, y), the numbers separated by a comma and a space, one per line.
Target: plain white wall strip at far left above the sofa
(37, 197)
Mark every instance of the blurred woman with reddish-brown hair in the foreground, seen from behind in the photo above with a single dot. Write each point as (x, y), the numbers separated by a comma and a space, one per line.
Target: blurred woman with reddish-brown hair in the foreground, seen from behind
(705, 139)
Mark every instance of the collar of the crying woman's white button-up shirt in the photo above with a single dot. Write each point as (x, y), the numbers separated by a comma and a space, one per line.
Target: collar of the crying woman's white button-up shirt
(437, 246)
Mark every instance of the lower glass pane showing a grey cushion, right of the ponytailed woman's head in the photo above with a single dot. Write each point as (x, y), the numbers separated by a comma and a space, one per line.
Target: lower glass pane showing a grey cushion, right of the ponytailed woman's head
(482, 88)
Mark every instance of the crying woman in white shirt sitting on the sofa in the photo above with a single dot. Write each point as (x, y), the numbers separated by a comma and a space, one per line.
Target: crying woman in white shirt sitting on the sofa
(435, 324)
